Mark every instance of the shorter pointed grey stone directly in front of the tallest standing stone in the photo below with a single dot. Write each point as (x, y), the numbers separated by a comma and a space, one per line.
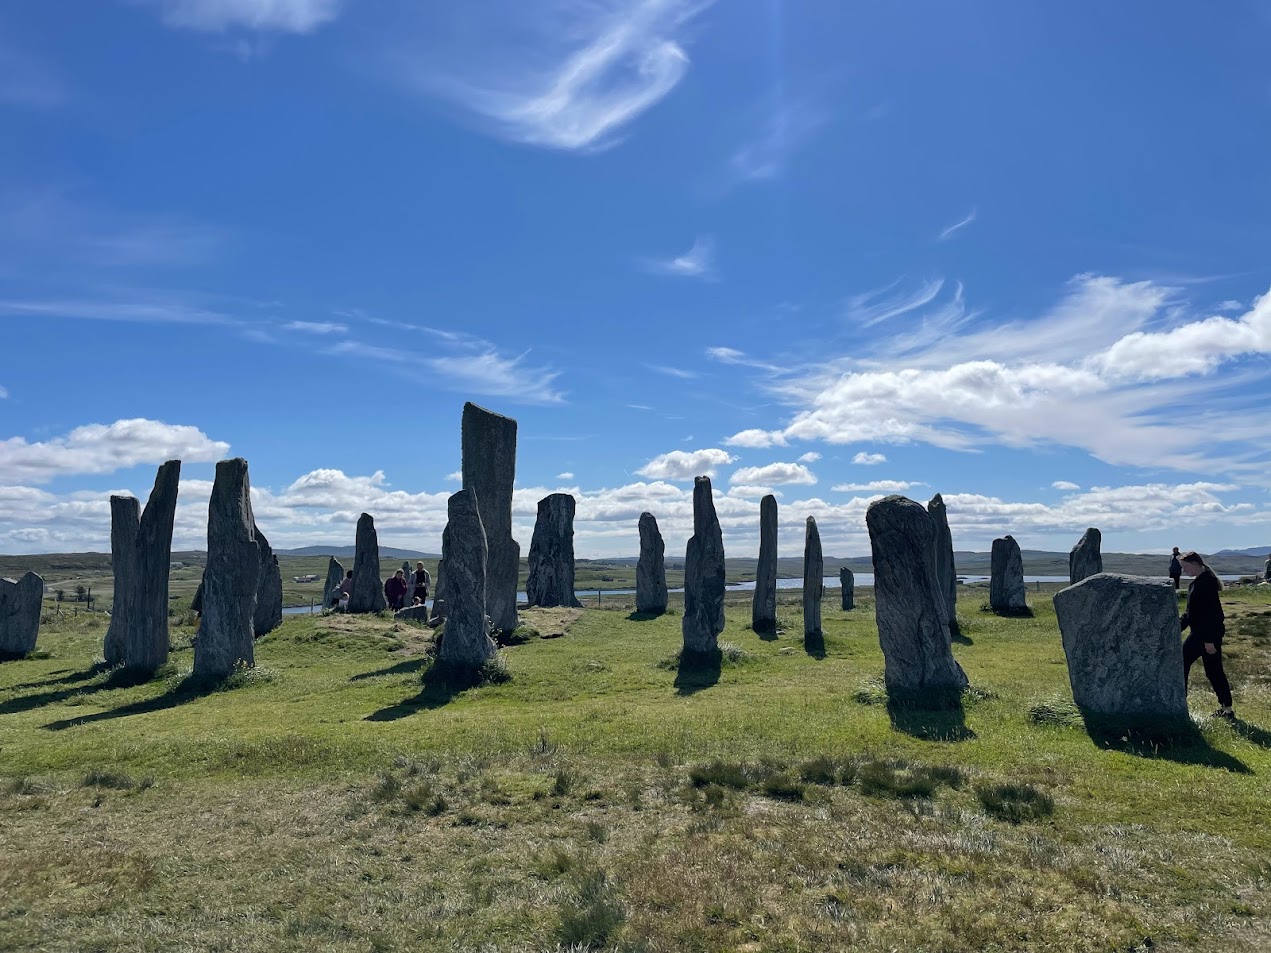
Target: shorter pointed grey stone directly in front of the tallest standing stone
(467, 641)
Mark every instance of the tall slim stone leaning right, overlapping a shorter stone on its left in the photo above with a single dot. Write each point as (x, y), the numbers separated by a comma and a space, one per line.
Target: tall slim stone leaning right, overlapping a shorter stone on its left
(147, 647)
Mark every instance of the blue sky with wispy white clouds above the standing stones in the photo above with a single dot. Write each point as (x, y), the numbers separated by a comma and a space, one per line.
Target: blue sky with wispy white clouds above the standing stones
(1014, 253)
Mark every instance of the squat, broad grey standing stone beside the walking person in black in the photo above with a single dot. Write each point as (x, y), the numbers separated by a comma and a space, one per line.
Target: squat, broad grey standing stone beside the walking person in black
(1123, 647)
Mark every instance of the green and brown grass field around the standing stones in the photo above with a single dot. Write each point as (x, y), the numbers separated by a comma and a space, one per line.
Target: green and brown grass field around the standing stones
(339, 799)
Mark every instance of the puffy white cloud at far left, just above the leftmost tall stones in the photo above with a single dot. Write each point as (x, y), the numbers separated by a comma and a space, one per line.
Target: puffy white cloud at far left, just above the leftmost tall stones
(97, 448)
